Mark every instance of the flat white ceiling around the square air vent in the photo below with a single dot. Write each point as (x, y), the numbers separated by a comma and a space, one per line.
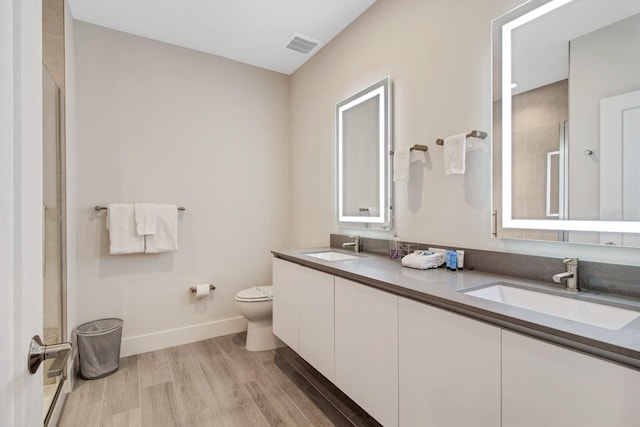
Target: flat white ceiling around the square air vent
(255, 32)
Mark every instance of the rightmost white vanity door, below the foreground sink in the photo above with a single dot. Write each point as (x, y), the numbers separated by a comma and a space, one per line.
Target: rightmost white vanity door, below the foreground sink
(548, 385)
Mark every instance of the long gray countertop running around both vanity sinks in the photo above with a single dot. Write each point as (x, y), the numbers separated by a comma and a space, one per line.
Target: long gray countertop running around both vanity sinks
(441, 287)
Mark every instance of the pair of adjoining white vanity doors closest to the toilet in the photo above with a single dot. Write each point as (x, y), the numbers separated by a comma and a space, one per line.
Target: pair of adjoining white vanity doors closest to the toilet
(303, 313)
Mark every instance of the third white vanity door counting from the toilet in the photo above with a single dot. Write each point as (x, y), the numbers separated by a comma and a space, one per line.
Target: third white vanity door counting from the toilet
(366, 348)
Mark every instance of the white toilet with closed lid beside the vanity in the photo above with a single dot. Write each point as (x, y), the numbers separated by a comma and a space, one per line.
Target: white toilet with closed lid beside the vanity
(256, 305)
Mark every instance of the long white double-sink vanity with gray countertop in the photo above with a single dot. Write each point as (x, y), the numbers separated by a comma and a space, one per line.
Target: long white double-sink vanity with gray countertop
(412, 347)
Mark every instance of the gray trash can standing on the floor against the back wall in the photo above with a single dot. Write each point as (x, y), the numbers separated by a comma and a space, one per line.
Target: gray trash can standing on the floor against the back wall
(99, 347)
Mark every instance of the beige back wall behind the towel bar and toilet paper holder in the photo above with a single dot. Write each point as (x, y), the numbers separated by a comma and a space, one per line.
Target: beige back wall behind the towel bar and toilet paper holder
(161, 123)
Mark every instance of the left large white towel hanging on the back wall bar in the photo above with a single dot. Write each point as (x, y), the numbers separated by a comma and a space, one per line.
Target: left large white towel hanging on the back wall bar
(122, 230)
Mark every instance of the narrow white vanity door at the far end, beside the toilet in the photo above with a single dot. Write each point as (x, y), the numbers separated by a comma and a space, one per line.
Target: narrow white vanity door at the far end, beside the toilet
(286, 303)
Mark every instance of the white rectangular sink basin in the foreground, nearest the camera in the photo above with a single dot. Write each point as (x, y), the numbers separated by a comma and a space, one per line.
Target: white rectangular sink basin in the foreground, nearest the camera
(591, 313)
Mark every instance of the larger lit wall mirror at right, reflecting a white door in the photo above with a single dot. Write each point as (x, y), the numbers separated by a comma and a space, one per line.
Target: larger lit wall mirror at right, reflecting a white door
(566, 121)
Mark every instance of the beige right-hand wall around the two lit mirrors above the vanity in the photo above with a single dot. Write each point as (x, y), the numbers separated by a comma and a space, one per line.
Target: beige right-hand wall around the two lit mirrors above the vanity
(438, 54)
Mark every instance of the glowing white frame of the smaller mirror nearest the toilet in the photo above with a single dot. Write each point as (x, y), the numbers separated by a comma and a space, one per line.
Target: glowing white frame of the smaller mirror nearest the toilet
(382, 90)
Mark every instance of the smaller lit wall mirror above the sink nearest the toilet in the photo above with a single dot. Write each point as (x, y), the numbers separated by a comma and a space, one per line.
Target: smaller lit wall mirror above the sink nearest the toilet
(363, 143)
